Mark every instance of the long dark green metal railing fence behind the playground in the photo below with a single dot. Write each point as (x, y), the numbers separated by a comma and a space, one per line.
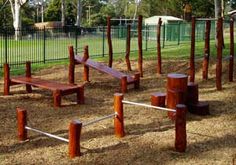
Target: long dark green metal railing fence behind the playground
(50, 44)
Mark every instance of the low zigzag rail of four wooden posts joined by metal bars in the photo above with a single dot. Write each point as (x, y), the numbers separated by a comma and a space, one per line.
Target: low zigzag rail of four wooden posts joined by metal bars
(76, 126)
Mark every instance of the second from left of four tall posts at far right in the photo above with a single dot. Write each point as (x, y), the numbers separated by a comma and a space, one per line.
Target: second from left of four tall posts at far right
(206, 50)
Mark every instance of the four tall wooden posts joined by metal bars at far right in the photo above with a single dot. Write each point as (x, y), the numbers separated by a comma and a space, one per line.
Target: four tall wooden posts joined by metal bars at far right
(219, 36)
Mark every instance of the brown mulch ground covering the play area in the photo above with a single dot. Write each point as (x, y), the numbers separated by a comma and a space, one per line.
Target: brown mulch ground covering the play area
(149, 133)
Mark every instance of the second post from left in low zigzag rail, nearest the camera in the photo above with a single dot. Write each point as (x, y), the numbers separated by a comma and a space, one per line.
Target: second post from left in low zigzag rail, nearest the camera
(74, 138)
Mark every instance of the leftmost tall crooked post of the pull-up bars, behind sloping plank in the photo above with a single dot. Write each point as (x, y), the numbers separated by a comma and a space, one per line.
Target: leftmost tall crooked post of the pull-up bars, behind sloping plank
(109, 41)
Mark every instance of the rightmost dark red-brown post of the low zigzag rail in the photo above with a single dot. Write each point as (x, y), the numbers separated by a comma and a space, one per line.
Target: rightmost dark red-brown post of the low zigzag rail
(180, 128)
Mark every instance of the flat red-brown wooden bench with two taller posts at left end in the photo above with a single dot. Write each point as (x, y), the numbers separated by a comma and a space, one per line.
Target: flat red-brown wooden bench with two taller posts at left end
(57, 89)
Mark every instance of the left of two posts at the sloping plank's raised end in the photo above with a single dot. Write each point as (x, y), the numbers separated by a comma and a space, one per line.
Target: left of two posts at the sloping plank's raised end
(71, 65)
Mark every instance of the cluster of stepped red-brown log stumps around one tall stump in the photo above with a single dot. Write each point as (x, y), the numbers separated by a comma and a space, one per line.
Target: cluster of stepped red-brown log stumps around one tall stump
(179, 91)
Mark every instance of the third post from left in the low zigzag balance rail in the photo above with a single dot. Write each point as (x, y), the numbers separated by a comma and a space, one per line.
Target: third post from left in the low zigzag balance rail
(119, 119)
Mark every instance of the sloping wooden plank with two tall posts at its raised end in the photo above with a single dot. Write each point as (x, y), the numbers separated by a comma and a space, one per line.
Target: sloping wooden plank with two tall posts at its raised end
(125, 79)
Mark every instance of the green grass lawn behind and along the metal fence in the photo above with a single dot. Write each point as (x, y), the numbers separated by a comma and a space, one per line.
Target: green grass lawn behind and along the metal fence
(29, 50)
